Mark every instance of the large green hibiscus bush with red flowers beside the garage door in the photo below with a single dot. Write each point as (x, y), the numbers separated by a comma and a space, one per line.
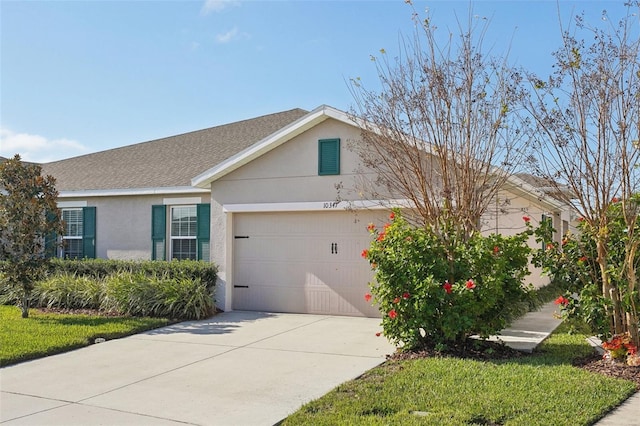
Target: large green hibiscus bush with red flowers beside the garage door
(435, 293)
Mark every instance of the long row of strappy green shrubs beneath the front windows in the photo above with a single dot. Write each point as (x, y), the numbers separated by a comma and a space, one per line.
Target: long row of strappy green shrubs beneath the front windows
(178, 289)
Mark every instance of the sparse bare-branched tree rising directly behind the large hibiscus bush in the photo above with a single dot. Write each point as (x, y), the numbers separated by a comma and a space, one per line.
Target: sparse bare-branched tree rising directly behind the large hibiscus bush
(442, 132)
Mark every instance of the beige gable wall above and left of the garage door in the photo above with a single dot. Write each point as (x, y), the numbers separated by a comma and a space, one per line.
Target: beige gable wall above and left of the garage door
(287, 174)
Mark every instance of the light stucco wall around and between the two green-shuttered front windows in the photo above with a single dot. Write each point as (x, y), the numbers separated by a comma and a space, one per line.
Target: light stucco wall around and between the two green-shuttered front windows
(123, 223)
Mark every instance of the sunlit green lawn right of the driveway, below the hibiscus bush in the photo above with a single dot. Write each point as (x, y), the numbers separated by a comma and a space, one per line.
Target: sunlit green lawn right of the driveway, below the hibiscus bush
(542, 389)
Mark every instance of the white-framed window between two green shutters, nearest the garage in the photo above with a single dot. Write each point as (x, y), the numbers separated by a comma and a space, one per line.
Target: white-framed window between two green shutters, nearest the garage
(187, 229)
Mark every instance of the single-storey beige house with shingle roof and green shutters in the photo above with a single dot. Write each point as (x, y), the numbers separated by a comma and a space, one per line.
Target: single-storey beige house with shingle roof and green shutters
(257, 197)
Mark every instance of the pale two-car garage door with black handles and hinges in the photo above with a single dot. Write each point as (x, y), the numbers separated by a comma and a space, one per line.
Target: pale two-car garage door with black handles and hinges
(306, 262)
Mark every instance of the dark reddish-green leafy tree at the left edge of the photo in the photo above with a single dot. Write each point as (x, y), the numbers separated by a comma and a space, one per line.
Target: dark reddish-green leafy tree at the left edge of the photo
(28, 214)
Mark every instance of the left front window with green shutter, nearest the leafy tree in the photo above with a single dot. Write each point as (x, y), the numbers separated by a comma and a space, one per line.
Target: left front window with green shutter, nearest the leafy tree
(79, 237)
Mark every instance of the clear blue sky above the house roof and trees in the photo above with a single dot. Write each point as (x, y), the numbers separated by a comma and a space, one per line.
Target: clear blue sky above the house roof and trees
(84, 76)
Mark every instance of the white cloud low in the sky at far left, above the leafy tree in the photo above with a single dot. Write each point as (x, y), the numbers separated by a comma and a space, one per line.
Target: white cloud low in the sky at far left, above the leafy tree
(36, 148)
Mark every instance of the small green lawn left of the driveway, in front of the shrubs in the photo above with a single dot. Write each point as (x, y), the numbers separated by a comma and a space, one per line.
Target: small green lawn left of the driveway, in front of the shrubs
(47, 334)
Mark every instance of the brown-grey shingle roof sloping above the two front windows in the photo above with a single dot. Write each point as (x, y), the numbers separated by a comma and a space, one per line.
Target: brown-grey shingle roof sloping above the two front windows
(167, 162)
